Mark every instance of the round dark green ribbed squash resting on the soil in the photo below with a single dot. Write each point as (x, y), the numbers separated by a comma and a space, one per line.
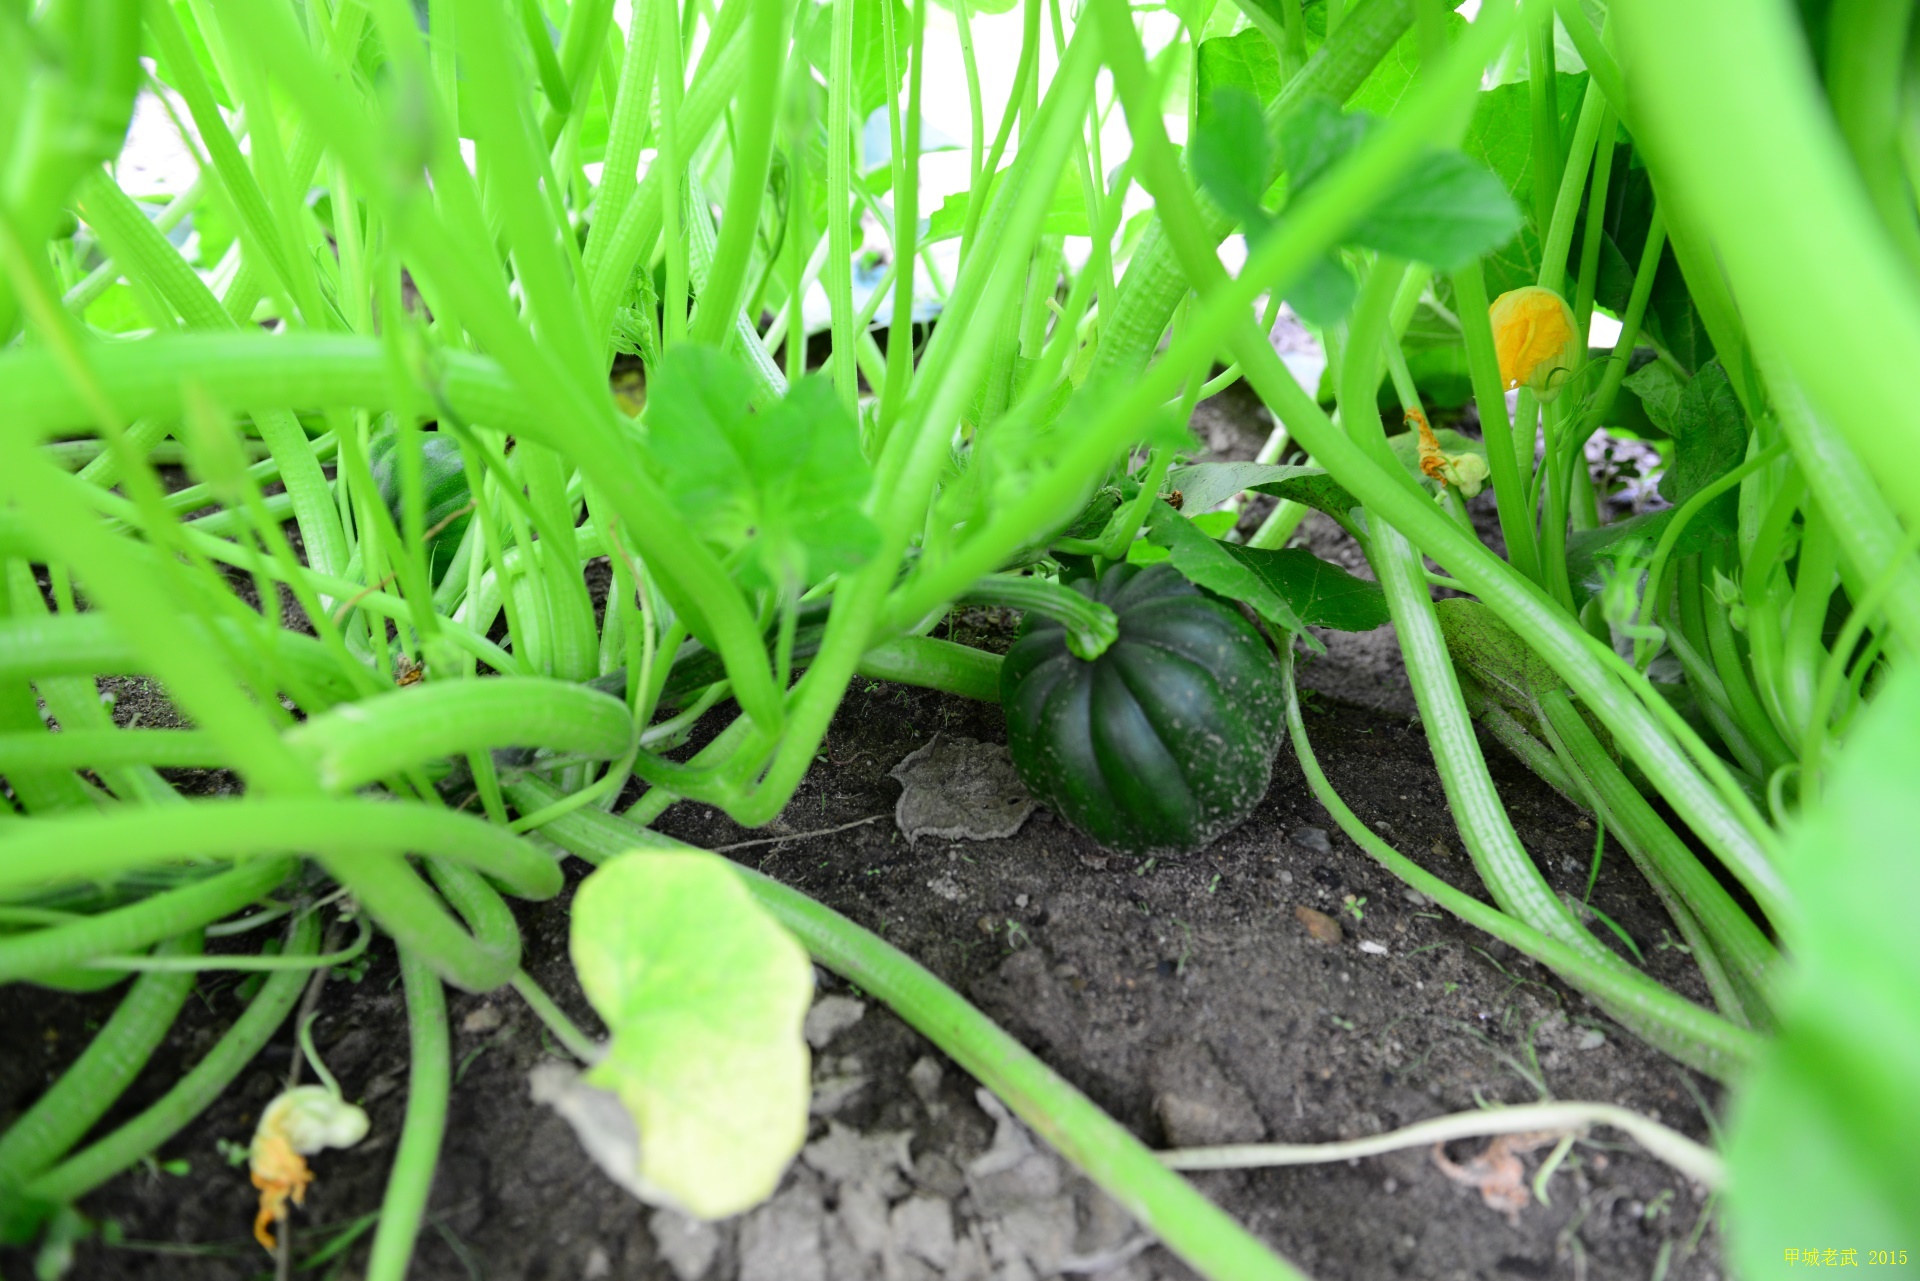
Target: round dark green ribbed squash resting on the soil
(1166, 740)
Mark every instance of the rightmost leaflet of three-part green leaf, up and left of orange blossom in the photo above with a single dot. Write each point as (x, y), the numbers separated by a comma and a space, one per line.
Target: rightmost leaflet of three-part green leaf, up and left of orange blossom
(1447, 212)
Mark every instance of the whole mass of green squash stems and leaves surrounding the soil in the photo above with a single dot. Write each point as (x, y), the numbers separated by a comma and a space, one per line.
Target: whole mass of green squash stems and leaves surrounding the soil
(421, 235)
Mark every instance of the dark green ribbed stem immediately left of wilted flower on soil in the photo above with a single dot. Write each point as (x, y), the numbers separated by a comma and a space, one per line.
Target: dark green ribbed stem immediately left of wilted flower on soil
(191, 1096)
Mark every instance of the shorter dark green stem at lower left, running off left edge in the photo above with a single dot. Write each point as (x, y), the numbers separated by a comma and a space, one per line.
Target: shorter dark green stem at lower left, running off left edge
(70, 1107)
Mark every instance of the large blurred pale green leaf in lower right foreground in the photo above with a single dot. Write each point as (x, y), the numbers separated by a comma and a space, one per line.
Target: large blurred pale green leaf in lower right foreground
(1827, 1126)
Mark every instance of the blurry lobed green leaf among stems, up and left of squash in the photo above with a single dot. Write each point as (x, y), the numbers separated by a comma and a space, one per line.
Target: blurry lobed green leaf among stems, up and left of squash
(782, 487)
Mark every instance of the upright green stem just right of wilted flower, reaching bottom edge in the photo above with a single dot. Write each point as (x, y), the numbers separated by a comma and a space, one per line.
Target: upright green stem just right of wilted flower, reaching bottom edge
(429, 1088)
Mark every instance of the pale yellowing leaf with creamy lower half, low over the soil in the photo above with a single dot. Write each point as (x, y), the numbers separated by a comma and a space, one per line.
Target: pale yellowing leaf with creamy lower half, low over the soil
(704, 996)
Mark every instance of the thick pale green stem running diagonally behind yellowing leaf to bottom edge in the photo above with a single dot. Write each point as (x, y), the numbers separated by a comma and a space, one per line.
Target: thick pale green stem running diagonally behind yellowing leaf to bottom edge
(1168, 1207)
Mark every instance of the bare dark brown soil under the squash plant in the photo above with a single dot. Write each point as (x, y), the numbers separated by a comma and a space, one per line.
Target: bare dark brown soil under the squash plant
(1188, 998)
